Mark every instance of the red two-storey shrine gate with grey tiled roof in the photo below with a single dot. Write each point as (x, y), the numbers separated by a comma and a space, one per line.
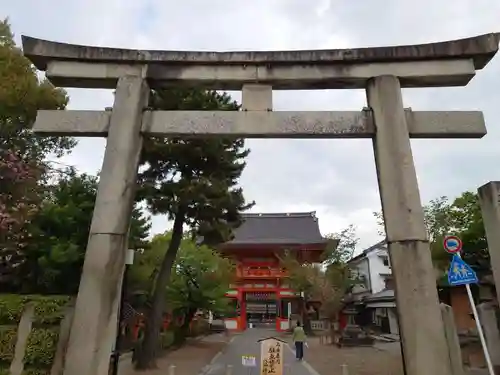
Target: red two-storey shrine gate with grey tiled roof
(261, 295)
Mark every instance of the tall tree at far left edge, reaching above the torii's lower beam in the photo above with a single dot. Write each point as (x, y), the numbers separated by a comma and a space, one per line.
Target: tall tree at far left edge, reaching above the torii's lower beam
(22, 153)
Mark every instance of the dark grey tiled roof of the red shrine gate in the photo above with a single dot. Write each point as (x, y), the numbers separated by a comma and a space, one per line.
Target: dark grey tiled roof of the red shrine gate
(300, 228)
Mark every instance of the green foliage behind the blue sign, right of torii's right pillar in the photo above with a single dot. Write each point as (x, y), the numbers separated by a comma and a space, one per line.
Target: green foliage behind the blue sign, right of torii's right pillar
(461, 217)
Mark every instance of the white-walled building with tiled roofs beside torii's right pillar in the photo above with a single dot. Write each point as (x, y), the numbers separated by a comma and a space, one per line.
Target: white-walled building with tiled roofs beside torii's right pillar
(374, 295)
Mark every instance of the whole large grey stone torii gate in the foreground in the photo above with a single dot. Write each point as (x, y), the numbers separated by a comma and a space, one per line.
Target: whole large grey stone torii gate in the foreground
(381, 71)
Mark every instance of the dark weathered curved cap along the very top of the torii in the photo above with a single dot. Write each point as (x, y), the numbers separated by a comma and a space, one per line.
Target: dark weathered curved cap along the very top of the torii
(480, 48)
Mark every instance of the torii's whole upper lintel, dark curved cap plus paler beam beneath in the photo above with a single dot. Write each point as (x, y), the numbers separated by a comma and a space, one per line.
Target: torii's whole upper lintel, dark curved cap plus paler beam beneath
(333, 68)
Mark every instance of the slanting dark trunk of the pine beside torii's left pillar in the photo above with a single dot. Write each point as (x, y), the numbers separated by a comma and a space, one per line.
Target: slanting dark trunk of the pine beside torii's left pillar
(154, 318)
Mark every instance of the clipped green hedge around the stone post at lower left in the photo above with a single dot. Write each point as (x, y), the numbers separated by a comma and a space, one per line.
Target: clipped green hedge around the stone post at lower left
(42, 341)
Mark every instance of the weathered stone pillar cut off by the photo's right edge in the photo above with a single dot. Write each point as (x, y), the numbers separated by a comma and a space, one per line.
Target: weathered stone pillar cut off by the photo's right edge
(489, 197)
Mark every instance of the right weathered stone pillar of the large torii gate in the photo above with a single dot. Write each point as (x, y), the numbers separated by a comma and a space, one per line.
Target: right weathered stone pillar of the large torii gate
(422, 330)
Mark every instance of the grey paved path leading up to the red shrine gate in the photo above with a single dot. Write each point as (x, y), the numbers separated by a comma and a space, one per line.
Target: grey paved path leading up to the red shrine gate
(246, 344)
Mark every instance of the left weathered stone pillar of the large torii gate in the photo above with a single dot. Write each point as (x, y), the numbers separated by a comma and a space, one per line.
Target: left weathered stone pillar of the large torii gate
(95, 308)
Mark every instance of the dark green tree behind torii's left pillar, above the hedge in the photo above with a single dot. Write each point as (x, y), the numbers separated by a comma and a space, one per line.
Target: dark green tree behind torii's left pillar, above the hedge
(59, 233)
